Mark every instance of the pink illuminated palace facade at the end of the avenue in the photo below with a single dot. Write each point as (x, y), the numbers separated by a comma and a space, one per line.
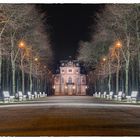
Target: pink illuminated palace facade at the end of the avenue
(69, 81)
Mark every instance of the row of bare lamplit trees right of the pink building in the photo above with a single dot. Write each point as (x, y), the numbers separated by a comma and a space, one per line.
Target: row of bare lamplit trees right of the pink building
(112, 57)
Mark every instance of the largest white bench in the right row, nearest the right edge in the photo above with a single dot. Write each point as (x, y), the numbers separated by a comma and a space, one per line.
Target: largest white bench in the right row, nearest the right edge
(133, 97)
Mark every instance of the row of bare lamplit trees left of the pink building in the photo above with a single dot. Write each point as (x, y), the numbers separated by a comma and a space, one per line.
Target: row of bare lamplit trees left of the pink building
(25, 51)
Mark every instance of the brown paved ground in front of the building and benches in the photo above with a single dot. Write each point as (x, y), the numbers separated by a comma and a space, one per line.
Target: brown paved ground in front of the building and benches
(70, 116)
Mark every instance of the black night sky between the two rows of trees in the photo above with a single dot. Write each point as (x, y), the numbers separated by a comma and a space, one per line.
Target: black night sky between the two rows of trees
(69, 24)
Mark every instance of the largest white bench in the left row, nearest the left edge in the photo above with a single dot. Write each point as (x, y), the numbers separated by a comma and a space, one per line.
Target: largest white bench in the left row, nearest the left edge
(7, 98)
